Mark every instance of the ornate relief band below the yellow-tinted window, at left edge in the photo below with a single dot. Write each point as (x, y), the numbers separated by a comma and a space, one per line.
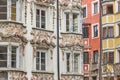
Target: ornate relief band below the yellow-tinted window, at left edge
(12, 32)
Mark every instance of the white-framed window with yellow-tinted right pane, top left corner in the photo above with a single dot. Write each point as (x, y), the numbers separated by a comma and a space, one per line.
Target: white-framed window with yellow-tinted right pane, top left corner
(11, 12)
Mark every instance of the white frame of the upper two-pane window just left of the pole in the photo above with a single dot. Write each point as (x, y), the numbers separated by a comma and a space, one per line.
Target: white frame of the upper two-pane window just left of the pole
(44, 9)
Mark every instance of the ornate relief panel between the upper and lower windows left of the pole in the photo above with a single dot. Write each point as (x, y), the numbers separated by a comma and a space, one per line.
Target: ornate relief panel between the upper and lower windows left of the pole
(42, 39)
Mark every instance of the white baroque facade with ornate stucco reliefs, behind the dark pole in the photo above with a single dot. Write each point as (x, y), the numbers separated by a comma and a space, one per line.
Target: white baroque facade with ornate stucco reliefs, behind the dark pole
(28, 40)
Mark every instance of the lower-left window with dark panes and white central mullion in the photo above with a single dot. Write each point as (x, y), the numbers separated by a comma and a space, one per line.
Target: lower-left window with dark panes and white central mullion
(8, 54)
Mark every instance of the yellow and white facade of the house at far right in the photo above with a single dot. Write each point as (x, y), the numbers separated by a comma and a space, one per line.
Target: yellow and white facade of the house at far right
(111, 44)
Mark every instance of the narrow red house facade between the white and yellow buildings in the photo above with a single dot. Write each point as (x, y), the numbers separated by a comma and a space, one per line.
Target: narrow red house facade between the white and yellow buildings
(92, 42)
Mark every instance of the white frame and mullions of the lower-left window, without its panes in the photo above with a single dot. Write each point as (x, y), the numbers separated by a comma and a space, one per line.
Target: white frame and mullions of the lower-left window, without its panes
(18, 54)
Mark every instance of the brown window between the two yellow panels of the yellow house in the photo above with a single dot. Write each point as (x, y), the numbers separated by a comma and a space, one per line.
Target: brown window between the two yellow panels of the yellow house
(108, 32)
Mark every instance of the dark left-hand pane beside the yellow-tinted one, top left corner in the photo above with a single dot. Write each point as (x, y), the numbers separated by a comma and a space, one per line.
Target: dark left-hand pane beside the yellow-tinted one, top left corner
(3, 9)
